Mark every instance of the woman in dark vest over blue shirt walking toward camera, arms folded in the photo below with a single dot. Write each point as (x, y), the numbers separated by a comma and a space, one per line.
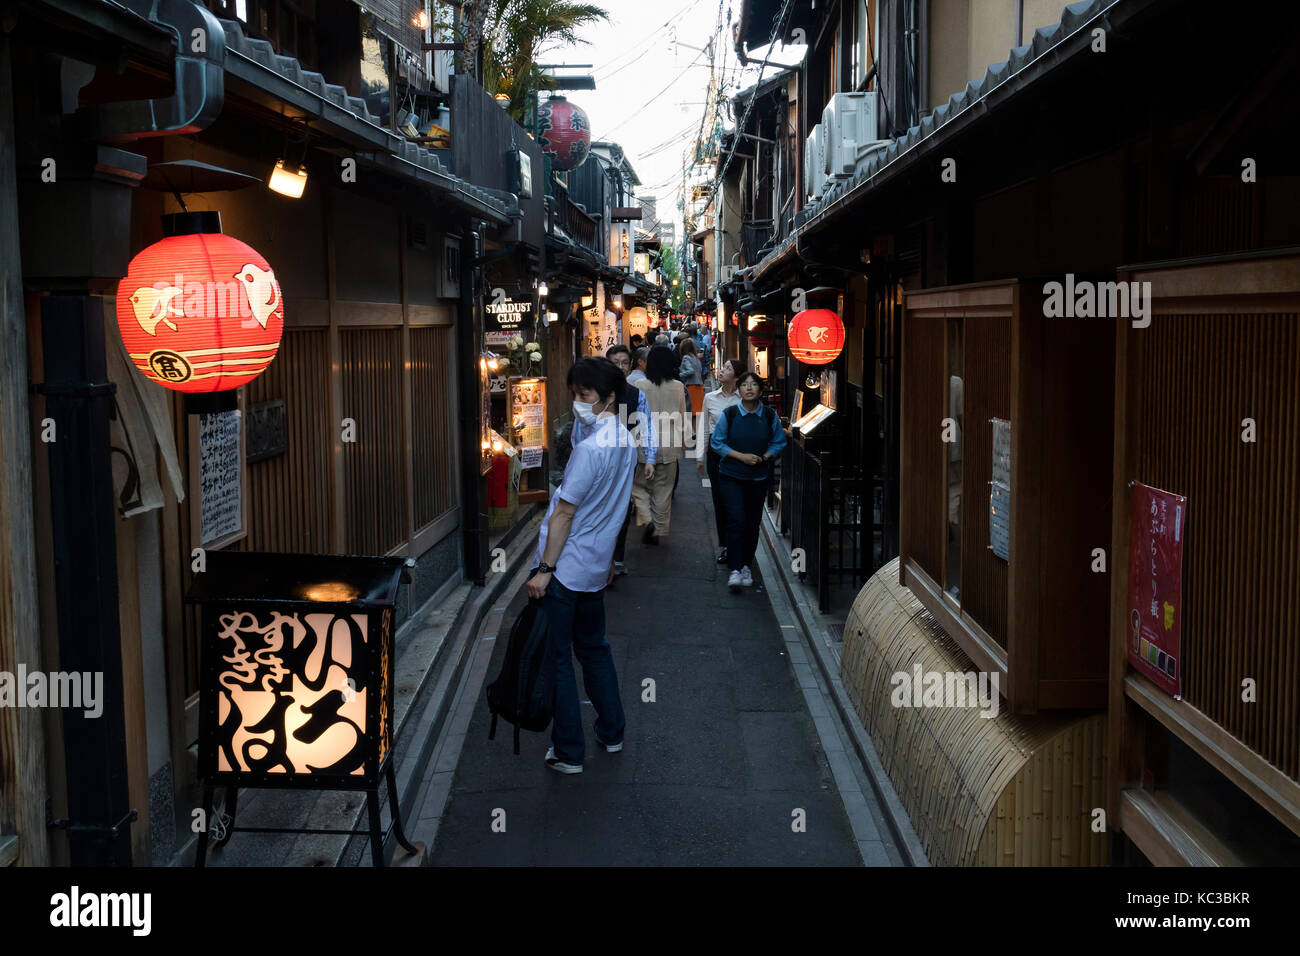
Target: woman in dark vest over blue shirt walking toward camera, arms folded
(747, 438)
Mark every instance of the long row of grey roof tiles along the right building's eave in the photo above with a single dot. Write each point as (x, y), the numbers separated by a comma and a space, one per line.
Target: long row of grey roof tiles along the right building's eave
(903, 150)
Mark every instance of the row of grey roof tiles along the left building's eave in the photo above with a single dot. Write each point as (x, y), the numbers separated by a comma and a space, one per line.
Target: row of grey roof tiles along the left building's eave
(288, 68)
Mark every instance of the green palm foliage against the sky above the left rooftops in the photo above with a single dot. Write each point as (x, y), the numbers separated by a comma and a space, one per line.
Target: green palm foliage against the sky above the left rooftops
(518, 32)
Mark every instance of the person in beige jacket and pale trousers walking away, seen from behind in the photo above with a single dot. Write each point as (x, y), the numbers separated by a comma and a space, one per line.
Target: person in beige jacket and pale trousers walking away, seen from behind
(668, 397)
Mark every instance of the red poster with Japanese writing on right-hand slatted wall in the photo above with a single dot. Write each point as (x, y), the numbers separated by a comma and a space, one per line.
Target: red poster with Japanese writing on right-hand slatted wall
(1158, 524)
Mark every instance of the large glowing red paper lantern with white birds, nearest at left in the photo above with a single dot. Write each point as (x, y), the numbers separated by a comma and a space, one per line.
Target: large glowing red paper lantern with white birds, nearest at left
(201, 313)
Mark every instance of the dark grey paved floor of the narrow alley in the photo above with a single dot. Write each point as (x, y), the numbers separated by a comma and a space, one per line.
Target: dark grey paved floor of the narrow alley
(714, 772)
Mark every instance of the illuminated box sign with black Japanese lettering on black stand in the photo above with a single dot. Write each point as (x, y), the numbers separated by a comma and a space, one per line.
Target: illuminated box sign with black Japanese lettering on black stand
(297, 667)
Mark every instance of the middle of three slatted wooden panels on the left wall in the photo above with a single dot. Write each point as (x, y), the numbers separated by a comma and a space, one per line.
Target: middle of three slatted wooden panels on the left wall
(374, 465)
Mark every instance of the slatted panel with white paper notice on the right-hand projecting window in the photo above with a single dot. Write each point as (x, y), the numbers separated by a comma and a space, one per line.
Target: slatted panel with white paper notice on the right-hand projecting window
(987, 393)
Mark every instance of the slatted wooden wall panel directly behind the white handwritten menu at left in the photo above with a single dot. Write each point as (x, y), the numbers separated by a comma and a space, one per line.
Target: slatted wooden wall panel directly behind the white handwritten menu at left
(289, 501)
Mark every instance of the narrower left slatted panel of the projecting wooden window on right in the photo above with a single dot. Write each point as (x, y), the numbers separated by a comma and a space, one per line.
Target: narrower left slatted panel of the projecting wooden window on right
(924, 462)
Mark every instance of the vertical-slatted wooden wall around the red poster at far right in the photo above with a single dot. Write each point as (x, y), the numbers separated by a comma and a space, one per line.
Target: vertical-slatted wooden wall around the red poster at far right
(1193, 380)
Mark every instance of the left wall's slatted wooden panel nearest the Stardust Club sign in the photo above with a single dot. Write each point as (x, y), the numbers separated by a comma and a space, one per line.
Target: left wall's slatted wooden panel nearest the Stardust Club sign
(434, 419)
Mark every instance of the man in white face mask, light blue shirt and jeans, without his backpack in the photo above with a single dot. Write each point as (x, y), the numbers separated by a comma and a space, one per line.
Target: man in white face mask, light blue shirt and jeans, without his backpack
(574, 551)
